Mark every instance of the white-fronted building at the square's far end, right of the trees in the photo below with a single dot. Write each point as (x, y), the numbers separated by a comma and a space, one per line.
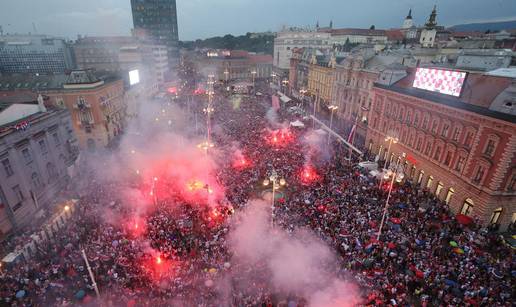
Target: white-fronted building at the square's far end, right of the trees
(286, 41)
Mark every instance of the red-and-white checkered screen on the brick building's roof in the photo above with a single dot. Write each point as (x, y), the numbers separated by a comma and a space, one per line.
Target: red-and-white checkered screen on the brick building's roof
(448, 82)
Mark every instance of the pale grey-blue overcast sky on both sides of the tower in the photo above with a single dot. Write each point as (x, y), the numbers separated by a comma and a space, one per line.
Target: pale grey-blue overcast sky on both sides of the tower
(206, 18)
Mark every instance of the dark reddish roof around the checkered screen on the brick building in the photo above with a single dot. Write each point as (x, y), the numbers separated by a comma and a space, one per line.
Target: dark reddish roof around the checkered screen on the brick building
(479, 93)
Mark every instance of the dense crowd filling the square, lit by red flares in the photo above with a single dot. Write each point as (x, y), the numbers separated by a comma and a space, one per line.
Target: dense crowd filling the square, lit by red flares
(176, 254)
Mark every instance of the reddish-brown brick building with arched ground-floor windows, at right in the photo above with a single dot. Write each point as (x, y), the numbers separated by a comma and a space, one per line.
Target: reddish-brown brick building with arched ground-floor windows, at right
(462, 149)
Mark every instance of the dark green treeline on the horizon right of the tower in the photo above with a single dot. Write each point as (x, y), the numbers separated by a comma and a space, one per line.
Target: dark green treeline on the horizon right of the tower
(258, 44)
